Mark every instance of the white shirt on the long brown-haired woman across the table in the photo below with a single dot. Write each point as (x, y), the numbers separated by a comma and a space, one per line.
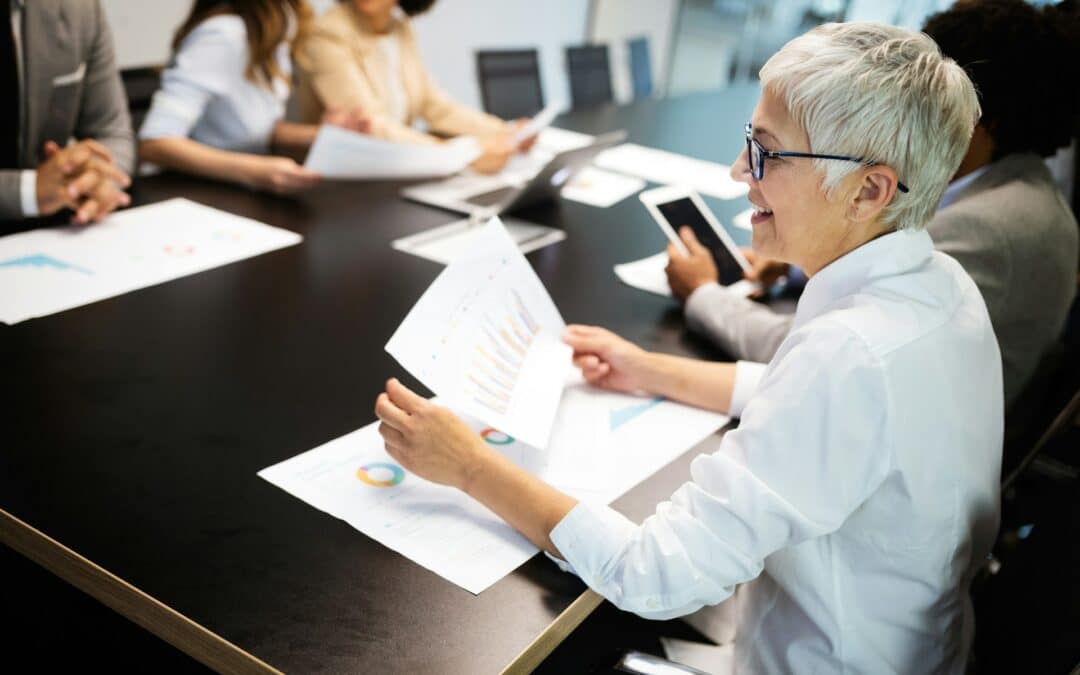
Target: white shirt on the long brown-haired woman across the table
(206, 94)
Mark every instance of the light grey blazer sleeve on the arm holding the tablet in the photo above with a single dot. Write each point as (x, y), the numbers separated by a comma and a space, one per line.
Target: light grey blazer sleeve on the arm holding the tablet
(744, 329)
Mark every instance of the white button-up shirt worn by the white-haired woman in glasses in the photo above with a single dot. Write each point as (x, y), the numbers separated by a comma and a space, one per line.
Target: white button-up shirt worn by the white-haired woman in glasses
(859, 493)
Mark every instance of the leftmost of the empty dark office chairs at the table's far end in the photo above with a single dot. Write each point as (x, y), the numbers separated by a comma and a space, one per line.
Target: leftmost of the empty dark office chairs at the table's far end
(510, 83)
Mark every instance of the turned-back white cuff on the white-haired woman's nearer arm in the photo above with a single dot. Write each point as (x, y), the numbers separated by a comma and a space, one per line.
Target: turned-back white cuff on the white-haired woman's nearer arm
(589, 538)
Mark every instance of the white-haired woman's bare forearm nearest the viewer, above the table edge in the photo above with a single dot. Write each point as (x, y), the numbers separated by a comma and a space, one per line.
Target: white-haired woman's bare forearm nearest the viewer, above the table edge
(528, 504)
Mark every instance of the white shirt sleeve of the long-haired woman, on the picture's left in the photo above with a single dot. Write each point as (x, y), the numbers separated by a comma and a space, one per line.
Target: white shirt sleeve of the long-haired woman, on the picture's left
(212, 59)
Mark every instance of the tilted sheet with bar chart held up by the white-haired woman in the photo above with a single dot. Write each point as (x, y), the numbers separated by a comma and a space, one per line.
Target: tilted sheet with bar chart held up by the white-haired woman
(487, 339)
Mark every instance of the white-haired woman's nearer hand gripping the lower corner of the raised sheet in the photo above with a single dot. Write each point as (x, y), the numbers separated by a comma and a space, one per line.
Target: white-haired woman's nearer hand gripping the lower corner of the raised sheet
(428, 440)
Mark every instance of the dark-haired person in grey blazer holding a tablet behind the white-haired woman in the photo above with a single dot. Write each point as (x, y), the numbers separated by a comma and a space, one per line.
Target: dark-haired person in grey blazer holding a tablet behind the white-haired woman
(1003, 217)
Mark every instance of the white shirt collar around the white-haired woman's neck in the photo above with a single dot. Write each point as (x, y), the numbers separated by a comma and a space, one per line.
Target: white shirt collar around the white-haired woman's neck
(888, 255)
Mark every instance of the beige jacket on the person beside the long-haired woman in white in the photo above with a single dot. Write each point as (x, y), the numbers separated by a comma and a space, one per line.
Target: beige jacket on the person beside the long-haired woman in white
(340, 65)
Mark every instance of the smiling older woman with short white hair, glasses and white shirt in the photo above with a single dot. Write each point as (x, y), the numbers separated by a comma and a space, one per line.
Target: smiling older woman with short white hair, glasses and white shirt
(860, 493)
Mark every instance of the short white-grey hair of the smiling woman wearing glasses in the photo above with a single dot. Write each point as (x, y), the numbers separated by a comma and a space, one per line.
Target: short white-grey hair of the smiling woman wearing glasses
(885, 94)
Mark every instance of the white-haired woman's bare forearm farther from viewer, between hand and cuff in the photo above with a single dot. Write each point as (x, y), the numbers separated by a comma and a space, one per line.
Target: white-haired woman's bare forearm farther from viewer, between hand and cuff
(690, 381)
